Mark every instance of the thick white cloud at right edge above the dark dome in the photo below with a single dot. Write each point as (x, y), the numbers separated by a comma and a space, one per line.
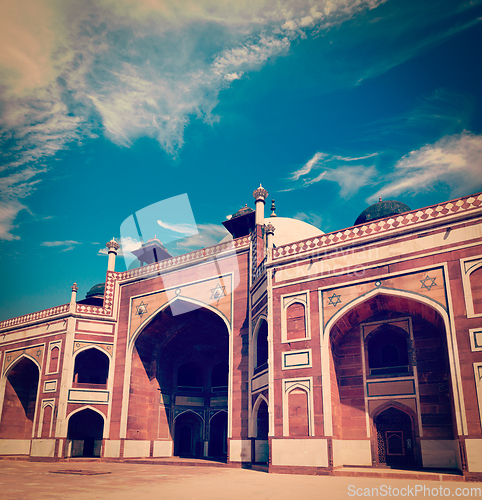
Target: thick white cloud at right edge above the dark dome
(454, 161)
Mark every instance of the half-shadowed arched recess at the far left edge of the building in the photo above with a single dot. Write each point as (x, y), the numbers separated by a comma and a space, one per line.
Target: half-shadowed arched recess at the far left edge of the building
(20, 400)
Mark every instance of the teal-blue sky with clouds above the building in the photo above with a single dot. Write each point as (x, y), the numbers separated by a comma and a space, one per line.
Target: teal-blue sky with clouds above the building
(111, 106)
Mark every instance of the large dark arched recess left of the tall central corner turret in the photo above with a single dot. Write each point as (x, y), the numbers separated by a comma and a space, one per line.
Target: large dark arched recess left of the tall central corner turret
(179, 381)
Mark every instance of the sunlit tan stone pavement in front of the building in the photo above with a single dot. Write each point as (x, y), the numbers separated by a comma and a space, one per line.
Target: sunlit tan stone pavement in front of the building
(23, 480)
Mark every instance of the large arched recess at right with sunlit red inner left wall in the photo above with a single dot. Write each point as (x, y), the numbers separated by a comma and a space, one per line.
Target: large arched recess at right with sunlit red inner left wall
(389, 352)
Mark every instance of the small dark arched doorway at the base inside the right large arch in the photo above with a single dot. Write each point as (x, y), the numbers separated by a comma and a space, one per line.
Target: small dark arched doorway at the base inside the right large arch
(395, 438)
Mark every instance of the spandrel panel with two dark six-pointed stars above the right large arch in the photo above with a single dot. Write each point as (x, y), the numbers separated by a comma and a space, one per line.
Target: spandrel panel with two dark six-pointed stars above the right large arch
(429, 284)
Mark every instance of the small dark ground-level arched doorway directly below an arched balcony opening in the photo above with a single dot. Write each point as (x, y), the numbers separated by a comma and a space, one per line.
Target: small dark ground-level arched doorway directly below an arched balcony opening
(85, 431)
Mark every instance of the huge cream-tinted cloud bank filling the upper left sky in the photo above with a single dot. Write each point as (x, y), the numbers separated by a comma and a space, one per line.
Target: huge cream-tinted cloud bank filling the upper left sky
(130, 68)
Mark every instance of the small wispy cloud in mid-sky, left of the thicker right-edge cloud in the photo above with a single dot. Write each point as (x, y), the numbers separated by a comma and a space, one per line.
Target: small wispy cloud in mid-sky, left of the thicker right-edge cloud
(340, 169)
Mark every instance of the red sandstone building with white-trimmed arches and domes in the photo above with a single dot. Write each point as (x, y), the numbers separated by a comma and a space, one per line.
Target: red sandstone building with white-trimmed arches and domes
(286, 346)
